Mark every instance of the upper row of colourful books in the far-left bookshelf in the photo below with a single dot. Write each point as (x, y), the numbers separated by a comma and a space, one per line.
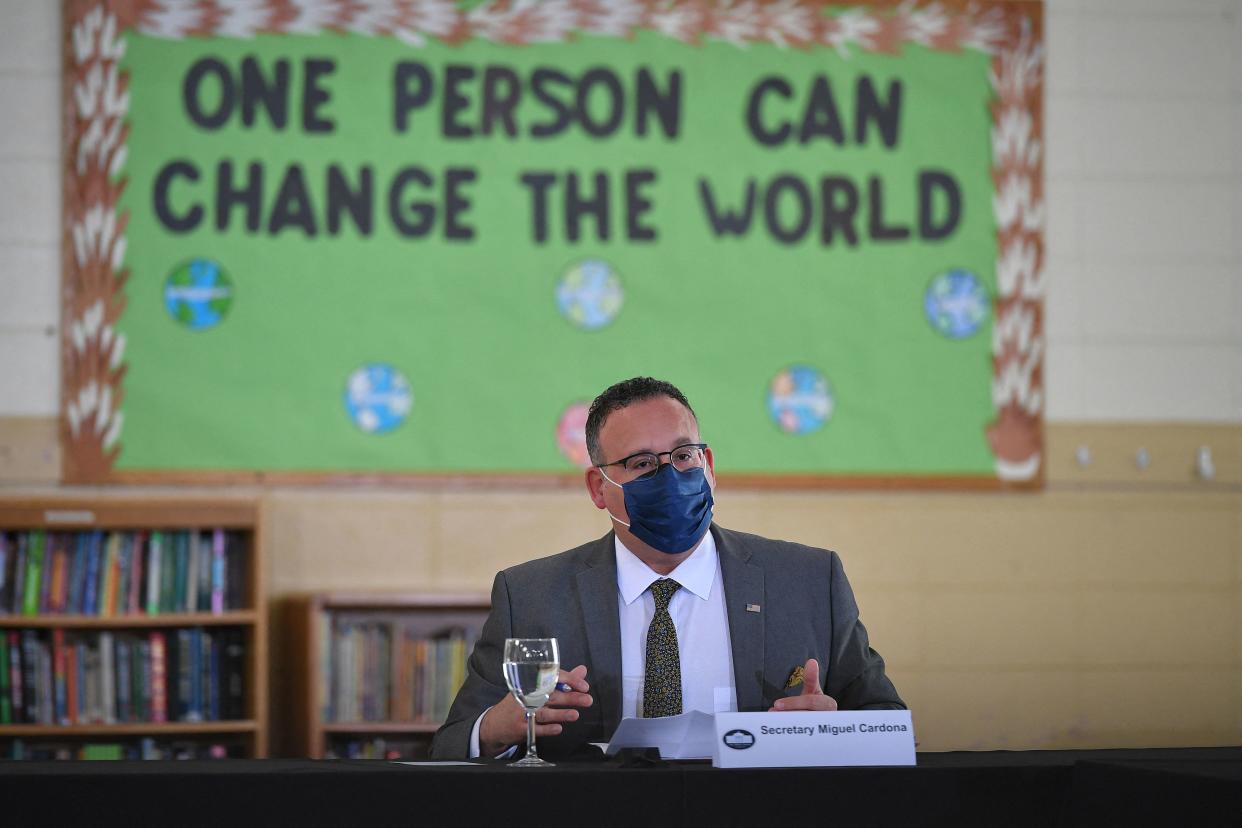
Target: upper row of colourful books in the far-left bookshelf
(107, 574)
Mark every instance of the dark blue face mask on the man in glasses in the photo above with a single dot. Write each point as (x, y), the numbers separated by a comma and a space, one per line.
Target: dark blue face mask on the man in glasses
(669, 511)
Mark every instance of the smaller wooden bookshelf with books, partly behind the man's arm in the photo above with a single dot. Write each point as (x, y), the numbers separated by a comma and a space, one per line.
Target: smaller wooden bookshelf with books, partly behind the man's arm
(366, 671)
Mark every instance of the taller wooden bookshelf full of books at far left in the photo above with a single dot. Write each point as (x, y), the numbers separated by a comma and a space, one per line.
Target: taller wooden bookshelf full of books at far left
(142, 631)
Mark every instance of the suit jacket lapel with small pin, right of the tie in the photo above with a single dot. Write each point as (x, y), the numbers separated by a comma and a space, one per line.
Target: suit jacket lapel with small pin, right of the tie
(743, 588)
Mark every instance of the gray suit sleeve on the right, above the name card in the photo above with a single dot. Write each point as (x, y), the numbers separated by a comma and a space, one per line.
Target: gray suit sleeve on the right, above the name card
(855, 676)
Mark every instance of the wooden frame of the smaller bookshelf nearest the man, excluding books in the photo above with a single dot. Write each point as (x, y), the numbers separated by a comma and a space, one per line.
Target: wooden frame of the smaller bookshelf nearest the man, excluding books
(311, 623)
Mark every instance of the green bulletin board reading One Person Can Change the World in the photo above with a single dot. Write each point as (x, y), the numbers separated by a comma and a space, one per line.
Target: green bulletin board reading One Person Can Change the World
(314, 240)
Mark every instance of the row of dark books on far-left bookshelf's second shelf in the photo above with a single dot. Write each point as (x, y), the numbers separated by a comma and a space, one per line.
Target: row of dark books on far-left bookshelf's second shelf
(66, 678)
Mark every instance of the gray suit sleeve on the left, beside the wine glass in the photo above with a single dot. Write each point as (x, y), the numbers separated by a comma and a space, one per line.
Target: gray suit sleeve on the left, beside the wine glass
(485, 682)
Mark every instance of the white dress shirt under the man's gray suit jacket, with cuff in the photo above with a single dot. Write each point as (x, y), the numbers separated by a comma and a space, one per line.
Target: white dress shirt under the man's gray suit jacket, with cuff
(702, 628)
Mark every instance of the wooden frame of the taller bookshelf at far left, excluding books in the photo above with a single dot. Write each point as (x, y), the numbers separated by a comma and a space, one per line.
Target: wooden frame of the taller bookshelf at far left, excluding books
(106, 513)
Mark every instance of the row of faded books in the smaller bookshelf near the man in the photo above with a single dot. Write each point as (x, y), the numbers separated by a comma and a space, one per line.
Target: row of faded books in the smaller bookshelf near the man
(379, 671)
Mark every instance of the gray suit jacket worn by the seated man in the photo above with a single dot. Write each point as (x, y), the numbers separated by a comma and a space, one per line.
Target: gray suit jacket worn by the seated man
(807, 610)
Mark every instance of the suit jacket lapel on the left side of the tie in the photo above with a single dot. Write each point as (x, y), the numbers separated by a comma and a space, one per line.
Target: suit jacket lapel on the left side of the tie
(598, 596)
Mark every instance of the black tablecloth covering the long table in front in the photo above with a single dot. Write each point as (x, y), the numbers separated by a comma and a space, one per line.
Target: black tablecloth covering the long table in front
(1167, 788)
